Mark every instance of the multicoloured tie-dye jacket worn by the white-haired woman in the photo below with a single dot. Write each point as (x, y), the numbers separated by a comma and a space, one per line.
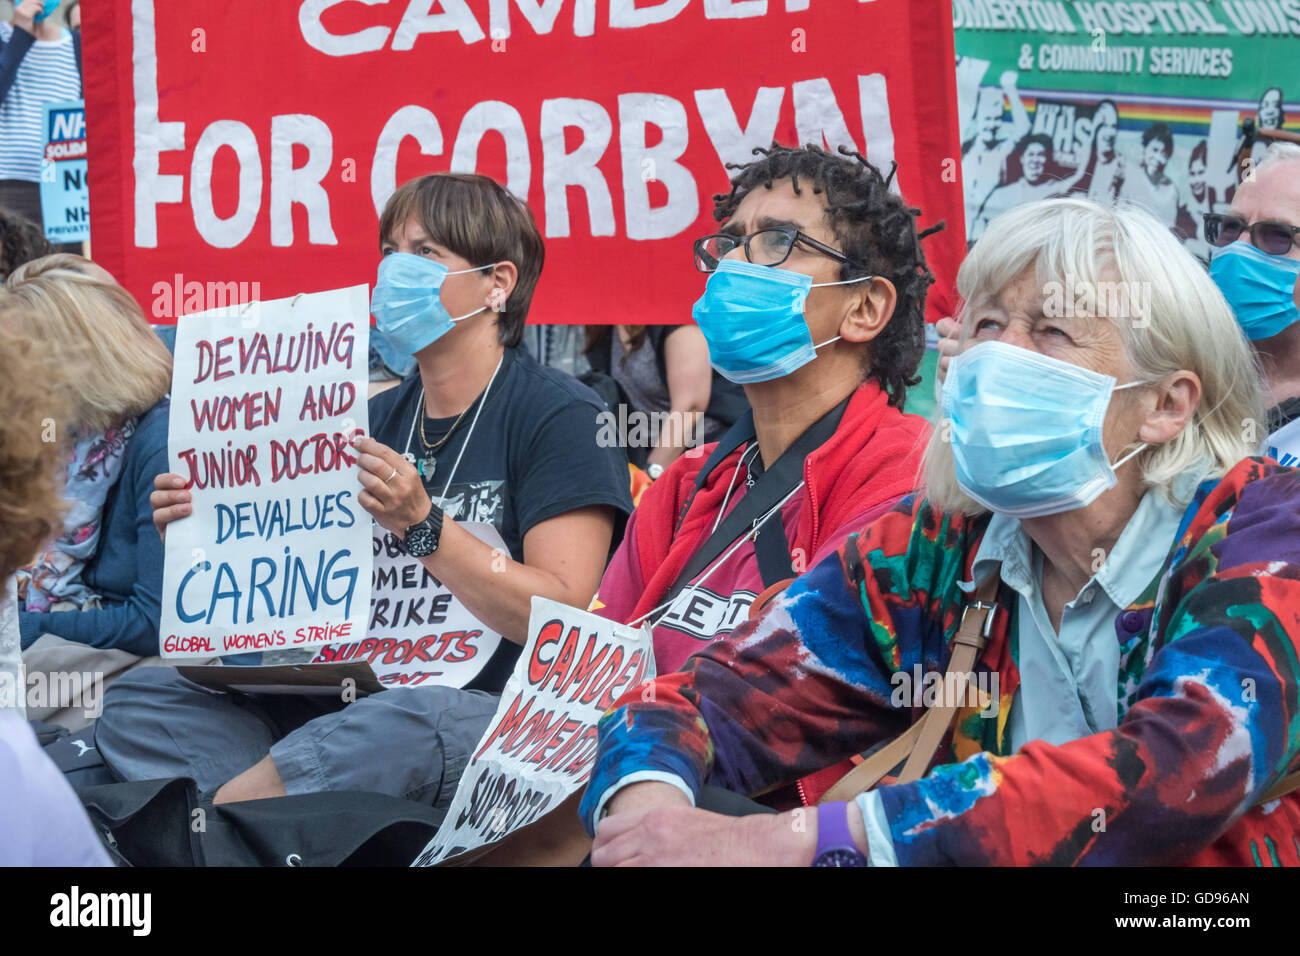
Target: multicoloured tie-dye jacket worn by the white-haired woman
(1208, 690)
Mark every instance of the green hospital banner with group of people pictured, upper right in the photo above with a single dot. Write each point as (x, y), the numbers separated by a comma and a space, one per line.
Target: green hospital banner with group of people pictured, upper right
(1142, 102)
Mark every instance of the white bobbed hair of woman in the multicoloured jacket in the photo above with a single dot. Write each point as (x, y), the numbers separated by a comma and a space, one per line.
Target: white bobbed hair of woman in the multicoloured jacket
(1176, 319)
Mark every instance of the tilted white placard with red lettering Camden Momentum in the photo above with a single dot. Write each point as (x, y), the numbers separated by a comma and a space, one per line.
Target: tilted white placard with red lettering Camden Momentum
(541, 745)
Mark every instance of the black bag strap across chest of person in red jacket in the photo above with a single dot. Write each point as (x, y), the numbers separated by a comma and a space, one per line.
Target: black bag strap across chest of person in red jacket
(772, 487)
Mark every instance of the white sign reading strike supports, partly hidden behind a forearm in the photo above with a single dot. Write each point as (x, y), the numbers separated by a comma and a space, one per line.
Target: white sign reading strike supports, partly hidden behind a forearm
(421, 633)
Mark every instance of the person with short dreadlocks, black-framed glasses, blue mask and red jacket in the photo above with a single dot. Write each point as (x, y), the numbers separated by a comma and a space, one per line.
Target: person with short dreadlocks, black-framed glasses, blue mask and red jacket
(814, 304)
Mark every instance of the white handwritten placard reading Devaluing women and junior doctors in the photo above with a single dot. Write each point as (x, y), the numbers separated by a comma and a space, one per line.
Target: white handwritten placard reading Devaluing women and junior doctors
(276, 552)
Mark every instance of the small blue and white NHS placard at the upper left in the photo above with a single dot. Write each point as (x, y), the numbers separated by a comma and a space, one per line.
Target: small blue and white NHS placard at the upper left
(64, 188)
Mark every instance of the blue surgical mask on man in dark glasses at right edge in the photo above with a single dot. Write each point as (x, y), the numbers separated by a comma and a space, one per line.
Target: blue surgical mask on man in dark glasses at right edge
(1259, 287)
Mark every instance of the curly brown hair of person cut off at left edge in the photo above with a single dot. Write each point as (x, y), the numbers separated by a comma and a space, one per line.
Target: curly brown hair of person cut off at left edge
(33, 393)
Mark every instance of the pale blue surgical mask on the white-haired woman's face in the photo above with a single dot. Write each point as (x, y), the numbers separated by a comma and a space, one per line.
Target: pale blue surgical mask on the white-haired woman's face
(1026, 431)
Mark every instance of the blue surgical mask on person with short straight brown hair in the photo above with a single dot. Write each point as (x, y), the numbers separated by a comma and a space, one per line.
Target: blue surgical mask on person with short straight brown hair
(408, 304)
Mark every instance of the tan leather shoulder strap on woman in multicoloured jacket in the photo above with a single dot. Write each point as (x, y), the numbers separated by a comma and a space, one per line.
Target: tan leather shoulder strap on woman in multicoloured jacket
(921, 741)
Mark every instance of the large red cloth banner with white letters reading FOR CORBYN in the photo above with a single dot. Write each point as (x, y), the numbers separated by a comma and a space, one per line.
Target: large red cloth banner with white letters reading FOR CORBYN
(244, 149)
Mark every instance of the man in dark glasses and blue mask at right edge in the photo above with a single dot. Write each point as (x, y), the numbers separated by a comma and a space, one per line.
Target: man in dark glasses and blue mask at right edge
(1256, 265)
